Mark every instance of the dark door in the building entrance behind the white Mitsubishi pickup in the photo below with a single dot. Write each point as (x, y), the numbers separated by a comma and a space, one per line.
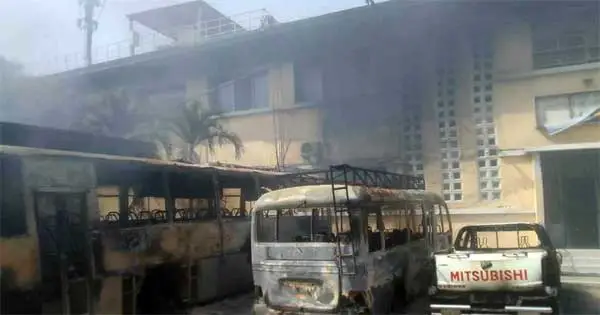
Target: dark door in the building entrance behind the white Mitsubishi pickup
(581, 204)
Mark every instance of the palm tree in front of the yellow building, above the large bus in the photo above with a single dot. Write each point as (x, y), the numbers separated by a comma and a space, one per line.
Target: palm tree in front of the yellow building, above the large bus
(197, 125)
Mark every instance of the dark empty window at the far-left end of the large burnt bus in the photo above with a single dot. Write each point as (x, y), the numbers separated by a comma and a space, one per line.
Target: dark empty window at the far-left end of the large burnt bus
(13, 220)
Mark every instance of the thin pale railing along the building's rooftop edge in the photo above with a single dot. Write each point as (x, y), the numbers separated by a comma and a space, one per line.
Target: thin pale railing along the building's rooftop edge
(145, 42)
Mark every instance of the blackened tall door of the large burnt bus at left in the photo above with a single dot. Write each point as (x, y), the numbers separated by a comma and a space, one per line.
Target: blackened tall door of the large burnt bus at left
(65, 252)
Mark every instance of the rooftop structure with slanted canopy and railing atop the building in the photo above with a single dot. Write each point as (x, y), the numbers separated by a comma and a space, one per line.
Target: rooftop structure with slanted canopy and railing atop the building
(187, 24)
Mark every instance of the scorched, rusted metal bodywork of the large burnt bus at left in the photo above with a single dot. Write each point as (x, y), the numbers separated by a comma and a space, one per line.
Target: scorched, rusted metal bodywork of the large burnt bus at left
(123, 250)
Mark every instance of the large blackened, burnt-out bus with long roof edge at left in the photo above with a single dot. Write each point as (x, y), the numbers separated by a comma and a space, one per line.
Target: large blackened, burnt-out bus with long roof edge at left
(166, 235)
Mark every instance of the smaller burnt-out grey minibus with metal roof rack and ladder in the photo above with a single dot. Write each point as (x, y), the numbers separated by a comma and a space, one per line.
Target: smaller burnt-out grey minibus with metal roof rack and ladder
(358, 241)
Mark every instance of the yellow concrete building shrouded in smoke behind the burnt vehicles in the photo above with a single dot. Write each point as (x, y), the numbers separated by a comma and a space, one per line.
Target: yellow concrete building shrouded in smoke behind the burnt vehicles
(496, 104)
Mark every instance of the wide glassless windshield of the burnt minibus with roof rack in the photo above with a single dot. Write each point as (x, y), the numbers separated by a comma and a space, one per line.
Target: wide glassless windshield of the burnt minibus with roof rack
(303, 225)
